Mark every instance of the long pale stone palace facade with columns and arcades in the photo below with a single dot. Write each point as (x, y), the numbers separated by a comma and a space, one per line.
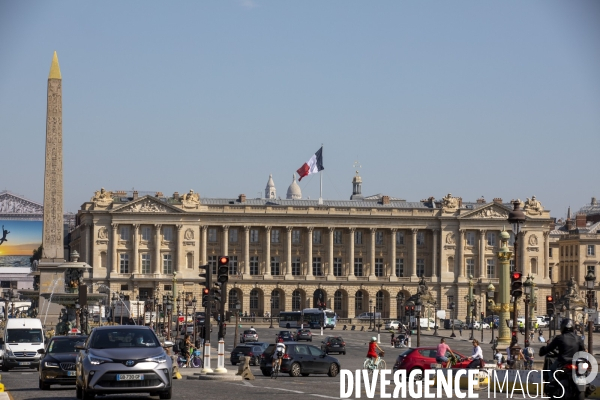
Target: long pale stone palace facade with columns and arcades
(287, 254)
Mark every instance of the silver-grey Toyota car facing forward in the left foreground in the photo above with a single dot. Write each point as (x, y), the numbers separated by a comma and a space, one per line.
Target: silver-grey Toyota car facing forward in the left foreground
(123, 359)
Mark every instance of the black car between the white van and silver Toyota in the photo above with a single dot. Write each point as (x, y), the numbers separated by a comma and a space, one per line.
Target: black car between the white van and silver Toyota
(57, 366)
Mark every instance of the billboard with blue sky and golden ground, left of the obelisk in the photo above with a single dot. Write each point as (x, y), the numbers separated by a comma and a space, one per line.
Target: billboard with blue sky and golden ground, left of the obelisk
(18, 240)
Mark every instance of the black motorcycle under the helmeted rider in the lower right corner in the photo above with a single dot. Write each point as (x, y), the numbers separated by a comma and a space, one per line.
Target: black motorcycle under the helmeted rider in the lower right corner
(569, 380)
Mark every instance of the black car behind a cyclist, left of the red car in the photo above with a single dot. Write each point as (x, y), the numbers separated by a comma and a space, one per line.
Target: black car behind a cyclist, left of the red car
(300, 360)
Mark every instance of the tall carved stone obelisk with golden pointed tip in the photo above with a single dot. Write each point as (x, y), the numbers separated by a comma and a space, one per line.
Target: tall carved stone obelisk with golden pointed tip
(52, 239)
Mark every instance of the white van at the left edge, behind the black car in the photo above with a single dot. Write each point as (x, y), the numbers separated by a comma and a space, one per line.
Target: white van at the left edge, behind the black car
(23, 337)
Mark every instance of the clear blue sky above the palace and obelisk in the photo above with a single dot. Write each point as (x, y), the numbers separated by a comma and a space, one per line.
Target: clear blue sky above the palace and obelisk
(476, 98)
